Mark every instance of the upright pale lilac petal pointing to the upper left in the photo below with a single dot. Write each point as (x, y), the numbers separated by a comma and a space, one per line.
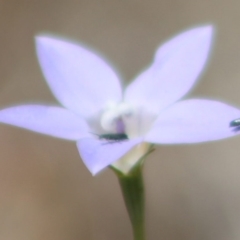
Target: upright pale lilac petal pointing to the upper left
(80, 80)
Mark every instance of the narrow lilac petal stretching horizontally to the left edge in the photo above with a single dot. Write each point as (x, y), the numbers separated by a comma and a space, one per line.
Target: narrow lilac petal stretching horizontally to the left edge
(53, 121)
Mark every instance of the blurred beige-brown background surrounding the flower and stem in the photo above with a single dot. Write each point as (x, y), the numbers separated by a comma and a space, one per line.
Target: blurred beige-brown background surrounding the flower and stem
(193, 191)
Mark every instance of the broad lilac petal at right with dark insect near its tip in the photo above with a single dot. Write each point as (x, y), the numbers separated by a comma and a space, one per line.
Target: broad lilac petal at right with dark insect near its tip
(193, 121)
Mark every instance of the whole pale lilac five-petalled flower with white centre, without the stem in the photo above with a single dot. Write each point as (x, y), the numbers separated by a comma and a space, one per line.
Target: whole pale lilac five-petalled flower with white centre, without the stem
(148, 112)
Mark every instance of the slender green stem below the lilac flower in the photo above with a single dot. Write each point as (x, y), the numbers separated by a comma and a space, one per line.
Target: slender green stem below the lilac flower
(133, 194)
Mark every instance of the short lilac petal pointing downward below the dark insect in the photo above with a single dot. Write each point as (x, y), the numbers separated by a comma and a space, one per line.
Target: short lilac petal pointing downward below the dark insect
(98, 154)
